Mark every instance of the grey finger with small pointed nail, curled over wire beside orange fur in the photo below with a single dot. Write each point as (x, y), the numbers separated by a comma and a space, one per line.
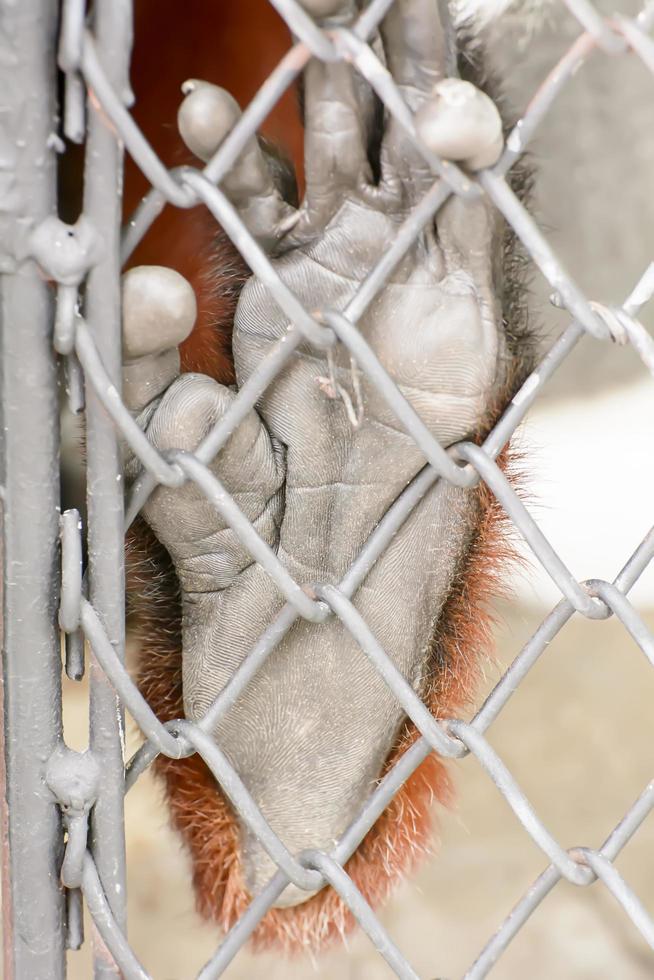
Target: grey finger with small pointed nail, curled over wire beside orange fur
(206, 116)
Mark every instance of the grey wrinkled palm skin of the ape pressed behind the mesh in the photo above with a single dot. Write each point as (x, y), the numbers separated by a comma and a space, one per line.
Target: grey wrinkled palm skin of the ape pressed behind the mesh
(311, 733)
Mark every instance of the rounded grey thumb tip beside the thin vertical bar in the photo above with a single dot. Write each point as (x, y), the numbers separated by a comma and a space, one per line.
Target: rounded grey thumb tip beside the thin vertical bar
(159, 311)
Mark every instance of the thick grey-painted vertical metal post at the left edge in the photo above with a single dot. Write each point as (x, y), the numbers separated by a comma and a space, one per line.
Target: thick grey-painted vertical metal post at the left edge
(29, 471)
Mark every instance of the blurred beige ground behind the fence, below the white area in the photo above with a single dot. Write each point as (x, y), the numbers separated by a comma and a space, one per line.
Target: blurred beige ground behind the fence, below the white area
(576, 736)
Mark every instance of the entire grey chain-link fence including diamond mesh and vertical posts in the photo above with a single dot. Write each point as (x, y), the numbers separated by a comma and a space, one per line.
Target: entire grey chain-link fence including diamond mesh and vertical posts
(51, 791)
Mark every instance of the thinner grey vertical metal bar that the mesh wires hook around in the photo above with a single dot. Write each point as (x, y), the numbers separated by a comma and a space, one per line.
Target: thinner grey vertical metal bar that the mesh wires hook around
(112, 28)
